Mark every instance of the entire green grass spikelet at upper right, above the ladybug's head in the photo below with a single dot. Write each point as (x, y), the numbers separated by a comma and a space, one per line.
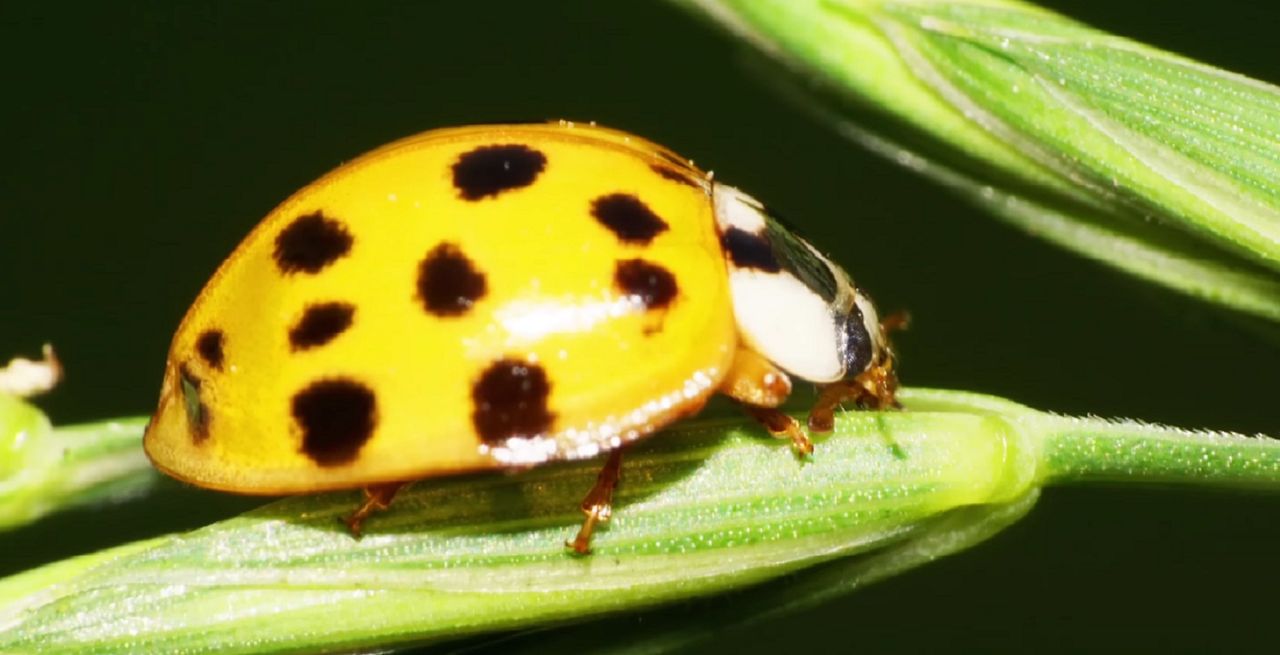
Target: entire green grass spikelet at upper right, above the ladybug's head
(1154, 164)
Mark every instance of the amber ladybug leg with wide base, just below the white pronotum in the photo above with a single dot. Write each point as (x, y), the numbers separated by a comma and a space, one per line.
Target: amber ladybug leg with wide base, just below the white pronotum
(761, 388)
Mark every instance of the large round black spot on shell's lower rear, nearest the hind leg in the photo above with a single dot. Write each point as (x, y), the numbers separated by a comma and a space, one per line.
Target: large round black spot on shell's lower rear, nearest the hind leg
(337, 418)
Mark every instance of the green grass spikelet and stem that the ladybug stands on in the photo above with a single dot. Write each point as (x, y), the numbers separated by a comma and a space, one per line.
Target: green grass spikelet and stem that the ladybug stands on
(708, 507)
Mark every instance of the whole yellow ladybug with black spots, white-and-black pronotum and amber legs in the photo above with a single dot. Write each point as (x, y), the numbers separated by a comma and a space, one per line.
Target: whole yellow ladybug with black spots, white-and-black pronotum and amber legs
(501, 296)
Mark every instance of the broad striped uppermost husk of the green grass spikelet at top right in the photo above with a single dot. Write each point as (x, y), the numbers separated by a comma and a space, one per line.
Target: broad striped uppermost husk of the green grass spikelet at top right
(1181, 140)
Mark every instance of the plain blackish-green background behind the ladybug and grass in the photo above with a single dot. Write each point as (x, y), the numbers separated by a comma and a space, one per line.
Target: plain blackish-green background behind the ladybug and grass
(144, 140)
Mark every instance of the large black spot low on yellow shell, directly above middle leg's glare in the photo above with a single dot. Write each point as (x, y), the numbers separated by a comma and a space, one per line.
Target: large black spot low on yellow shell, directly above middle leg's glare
(510, 401)
